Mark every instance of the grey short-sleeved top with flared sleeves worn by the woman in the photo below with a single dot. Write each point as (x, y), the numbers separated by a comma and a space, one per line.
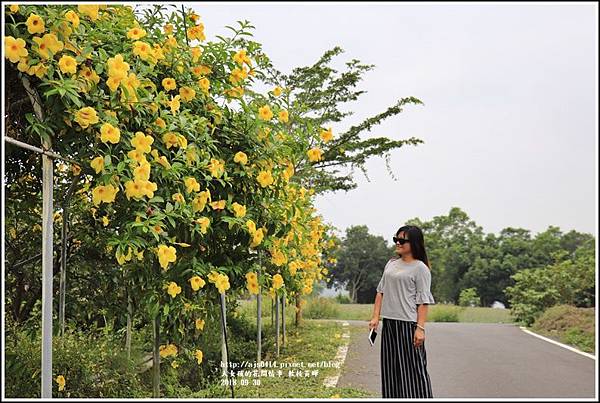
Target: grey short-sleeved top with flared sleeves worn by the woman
(404, 286)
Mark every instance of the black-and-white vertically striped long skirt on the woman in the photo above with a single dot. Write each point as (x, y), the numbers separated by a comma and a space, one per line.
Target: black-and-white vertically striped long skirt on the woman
(403, 367)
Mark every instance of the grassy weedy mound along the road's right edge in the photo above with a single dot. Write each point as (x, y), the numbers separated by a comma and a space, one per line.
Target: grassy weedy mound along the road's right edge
(569, 325)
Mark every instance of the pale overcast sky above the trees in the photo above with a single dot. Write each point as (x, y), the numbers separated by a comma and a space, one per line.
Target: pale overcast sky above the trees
(510, 116)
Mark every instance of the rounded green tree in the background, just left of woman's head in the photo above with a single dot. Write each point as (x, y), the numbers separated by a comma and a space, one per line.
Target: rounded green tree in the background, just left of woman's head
(360, 261)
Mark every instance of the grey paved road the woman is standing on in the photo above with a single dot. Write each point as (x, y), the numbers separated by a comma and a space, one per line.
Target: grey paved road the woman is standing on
(481, 360)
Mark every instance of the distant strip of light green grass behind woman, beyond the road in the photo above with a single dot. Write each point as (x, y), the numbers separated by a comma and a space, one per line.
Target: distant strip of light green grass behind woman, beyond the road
(437, 312)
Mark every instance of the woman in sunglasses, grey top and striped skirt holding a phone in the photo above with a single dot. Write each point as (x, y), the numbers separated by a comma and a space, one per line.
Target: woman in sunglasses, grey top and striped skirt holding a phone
(403, 294)
